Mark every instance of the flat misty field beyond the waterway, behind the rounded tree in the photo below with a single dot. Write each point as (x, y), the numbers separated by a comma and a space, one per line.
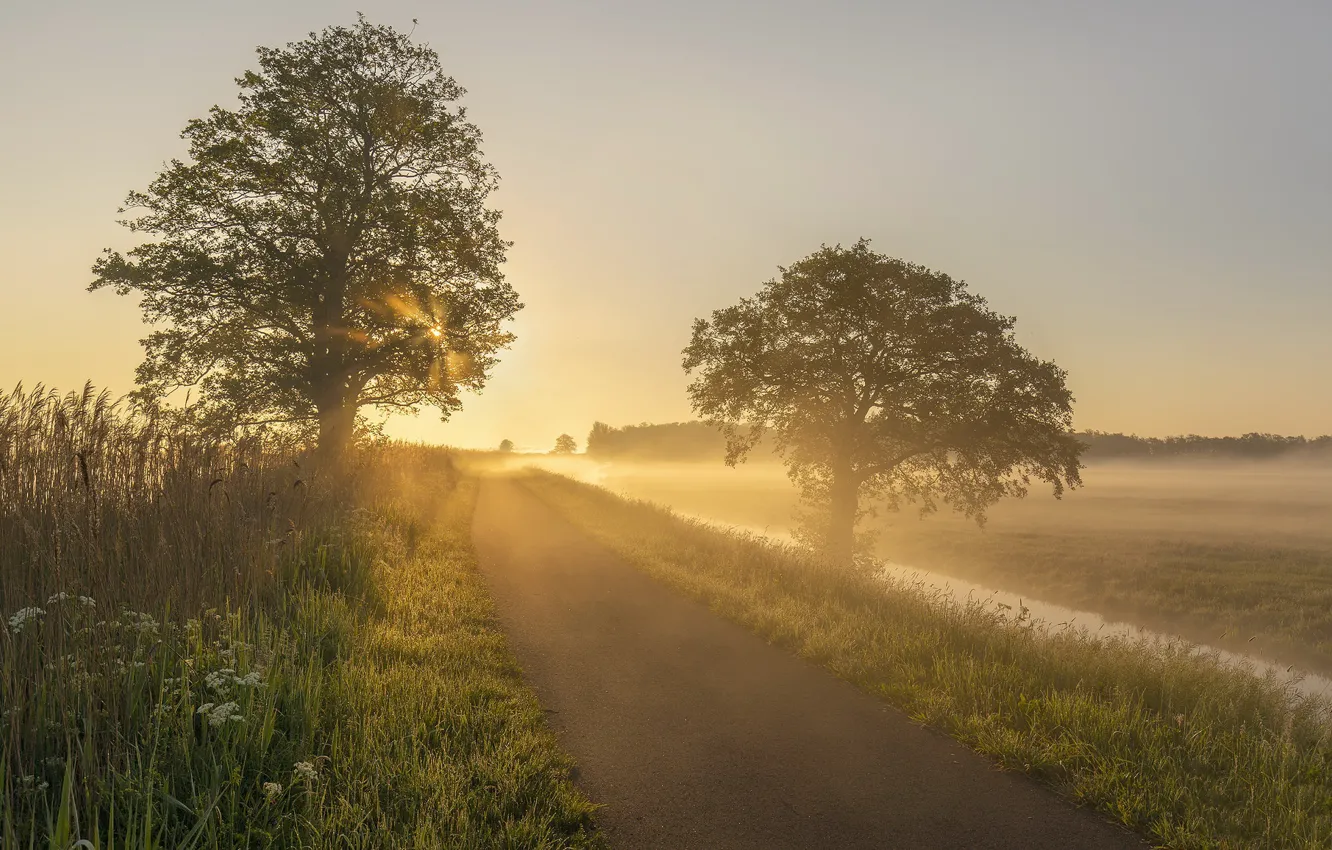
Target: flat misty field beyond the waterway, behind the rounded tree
(1231, 555)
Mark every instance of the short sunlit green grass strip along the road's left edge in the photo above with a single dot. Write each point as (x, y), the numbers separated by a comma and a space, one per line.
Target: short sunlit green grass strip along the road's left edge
(430, 733)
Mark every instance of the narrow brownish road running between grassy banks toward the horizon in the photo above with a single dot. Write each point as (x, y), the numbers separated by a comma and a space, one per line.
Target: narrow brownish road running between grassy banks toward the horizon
(696, 733)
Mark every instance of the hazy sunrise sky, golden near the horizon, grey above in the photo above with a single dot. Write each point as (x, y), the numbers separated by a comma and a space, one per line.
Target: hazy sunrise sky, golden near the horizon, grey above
(1145, 185)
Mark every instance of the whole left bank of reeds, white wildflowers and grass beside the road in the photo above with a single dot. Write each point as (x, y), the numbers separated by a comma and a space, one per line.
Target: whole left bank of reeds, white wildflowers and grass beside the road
(203, 647)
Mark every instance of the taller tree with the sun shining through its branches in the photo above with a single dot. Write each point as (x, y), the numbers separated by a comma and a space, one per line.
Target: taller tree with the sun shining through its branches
(327, 246)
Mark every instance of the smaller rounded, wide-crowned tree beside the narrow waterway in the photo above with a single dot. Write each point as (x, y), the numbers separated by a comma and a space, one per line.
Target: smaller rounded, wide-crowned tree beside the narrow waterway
(886, 383)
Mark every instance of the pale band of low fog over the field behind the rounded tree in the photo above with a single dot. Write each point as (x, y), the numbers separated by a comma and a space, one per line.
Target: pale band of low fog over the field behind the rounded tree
(1275, 502)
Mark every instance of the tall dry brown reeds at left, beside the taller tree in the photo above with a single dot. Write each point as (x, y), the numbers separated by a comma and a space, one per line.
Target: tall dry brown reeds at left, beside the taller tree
(141, 511)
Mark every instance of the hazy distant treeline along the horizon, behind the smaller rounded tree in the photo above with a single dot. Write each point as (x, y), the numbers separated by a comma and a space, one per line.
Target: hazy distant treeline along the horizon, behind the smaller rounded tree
(700, 442)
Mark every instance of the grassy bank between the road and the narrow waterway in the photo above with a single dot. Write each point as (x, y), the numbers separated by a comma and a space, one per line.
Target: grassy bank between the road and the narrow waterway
(1177, 747)
